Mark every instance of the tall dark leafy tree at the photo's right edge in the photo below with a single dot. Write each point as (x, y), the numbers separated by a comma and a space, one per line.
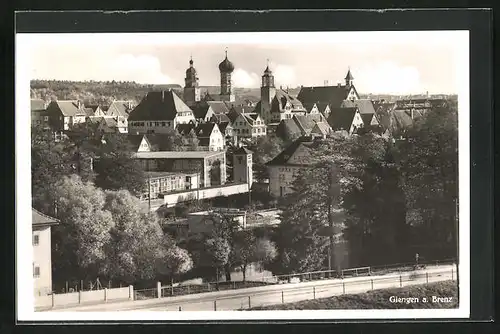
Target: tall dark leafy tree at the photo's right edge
(429, 159)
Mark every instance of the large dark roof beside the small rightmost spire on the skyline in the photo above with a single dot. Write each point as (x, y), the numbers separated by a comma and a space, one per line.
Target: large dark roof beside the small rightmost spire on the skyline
(332, 95)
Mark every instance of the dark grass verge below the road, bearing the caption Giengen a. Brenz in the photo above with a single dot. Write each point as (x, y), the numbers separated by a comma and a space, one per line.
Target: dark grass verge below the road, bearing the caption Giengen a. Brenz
(381, 299)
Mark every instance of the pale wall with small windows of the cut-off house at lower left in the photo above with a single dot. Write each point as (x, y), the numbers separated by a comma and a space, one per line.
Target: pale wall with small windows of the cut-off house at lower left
(42, 259)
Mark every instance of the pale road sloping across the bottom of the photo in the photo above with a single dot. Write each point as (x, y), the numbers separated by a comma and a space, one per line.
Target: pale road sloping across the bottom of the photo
(279, 293)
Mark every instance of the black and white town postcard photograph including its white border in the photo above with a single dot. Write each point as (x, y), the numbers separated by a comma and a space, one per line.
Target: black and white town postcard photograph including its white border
(185, 176)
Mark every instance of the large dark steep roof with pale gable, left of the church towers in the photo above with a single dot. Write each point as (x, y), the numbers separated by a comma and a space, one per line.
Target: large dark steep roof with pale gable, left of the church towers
(160, 106)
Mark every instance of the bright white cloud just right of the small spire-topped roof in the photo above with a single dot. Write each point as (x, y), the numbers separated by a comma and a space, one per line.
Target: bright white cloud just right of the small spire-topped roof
(387, 77)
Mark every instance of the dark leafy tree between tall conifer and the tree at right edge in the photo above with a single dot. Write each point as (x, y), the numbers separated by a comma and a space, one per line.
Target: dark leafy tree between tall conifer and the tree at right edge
(376, 229)
